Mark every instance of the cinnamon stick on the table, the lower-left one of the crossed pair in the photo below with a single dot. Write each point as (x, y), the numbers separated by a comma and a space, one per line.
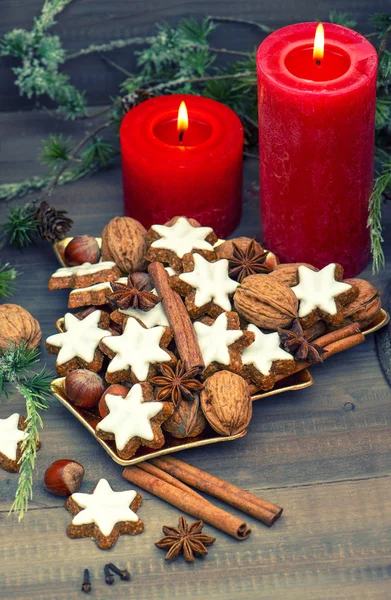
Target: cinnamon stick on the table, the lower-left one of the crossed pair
(185, 501)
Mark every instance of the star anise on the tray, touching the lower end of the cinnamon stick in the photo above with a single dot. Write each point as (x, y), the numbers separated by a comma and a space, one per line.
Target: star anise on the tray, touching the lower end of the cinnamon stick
(176, 384)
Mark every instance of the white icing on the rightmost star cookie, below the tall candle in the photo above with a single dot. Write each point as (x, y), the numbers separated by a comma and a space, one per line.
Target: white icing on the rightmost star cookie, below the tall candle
(317, 289)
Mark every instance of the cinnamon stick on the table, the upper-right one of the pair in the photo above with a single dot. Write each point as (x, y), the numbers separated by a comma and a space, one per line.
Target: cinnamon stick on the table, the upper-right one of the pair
(254, 506)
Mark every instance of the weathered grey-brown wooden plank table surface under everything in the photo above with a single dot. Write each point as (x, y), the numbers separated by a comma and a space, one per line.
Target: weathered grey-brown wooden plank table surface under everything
(326, 465)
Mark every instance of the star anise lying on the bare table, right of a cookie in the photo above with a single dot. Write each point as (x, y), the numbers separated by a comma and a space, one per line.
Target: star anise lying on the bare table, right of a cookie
(186, 540)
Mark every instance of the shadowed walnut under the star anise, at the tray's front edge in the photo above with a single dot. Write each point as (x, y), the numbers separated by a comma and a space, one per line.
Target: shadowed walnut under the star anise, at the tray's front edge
(187, 419)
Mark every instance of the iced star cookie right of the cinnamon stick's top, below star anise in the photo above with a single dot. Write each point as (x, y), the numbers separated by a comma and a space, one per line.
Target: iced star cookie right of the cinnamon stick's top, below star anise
(206, 286)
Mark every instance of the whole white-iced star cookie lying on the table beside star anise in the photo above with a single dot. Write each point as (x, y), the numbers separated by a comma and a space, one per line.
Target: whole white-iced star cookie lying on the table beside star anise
(104, 515)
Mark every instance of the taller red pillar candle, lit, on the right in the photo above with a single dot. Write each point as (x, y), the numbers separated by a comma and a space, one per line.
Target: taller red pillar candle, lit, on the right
(316, 136)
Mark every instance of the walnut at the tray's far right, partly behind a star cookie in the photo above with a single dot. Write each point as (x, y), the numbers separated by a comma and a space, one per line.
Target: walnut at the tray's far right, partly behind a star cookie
(365, 308)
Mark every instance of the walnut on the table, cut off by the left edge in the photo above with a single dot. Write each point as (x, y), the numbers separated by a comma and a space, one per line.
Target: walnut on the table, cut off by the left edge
(17, 326)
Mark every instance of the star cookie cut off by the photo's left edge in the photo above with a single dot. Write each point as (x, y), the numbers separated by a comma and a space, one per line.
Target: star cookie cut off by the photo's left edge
(11, 437)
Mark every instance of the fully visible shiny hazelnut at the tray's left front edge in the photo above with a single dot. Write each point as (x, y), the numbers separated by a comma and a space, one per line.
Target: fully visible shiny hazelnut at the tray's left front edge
(84, 388)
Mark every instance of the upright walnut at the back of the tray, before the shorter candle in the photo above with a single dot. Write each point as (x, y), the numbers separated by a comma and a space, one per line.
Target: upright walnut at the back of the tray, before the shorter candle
(124, 241)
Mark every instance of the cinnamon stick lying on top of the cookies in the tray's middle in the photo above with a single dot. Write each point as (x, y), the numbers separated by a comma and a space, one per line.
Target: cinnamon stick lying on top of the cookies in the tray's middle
(178, 317)
